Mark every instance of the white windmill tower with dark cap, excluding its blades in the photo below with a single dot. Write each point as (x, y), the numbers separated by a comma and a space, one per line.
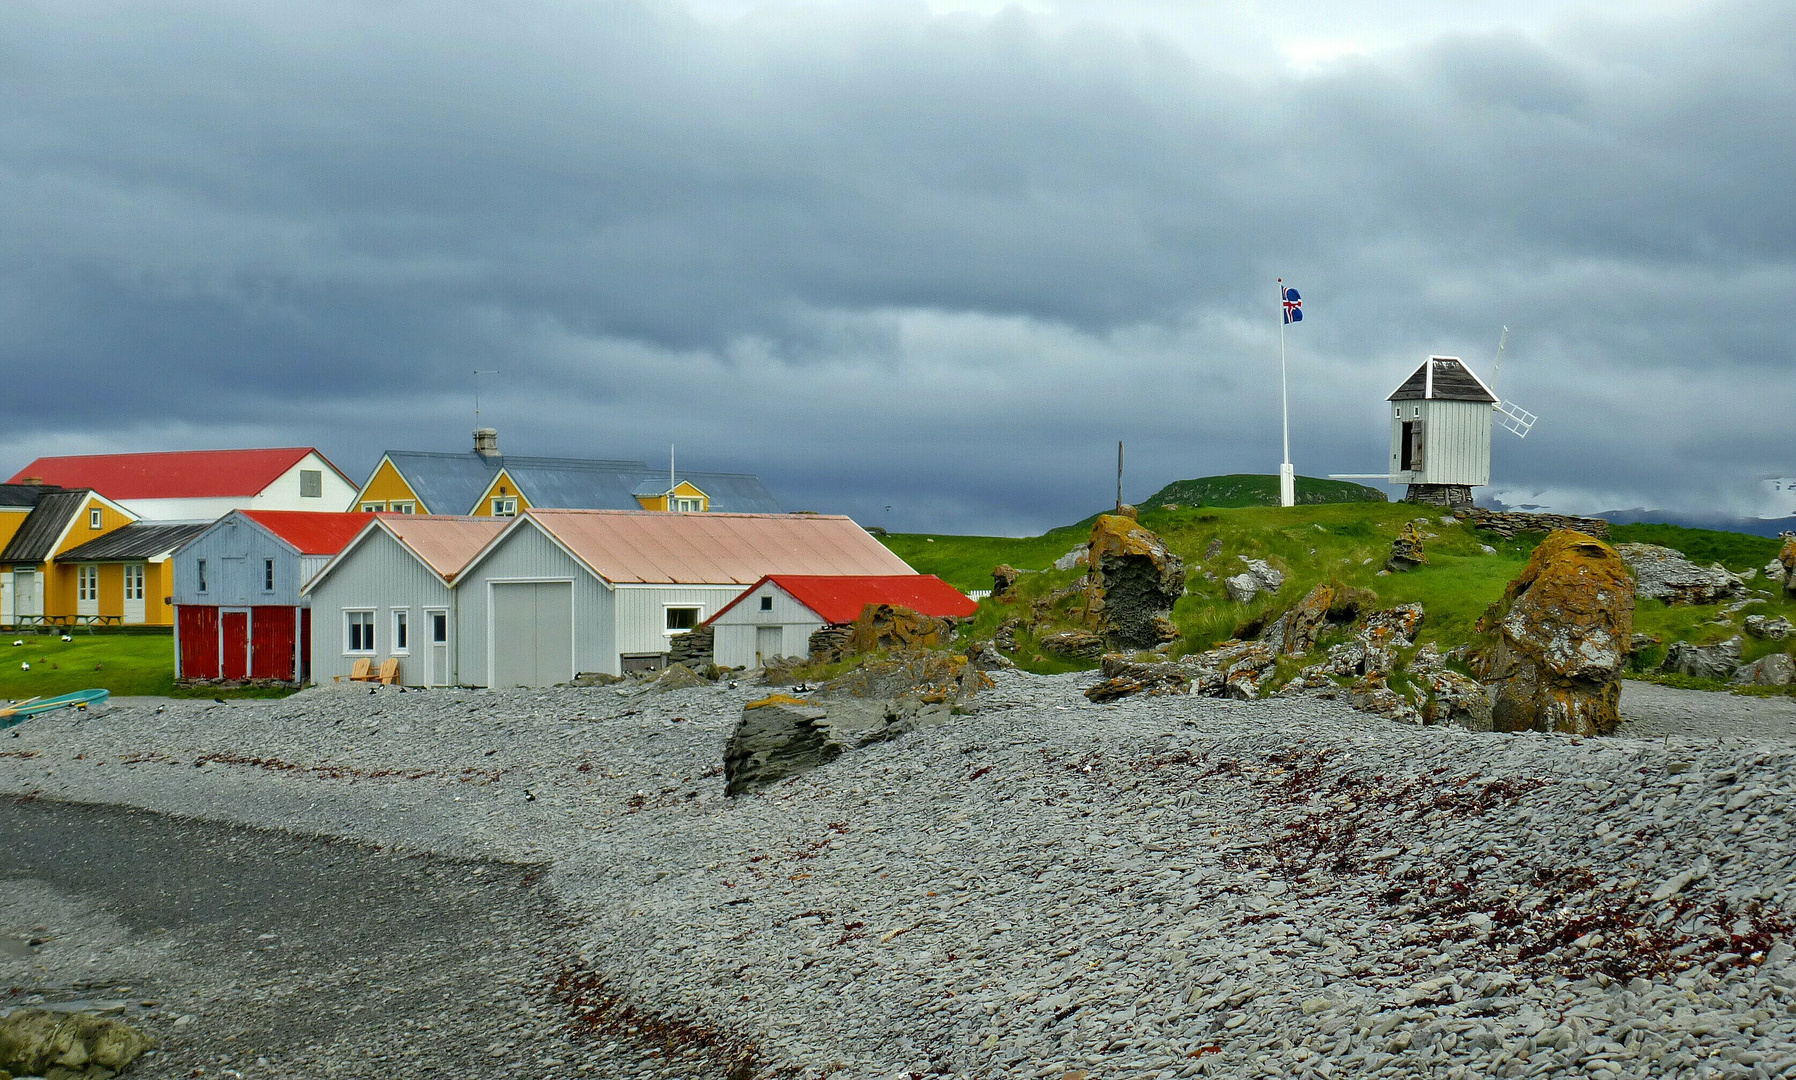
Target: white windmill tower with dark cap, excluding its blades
(1441, 434)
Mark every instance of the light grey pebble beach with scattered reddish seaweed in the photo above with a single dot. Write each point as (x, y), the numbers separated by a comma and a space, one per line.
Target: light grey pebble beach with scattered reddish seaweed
(1158, 889)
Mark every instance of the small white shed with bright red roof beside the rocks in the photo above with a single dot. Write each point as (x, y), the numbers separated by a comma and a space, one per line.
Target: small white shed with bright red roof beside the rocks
(779, 615)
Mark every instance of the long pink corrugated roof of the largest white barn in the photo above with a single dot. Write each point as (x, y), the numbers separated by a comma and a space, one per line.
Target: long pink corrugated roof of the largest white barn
(628, 547)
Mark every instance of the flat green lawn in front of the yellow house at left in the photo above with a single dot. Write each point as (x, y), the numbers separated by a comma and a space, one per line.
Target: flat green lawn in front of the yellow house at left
(123, 664)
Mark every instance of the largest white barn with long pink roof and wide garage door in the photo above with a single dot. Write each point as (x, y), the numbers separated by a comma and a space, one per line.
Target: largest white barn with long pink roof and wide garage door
(570, 592)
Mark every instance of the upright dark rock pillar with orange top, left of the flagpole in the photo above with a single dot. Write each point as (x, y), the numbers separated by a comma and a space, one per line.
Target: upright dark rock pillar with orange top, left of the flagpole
(1132, 585)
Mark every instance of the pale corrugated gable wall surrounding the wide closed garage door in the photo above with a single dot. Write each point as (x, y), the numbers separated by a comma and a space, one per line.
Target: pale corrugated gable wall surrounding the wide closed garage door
(529, 554)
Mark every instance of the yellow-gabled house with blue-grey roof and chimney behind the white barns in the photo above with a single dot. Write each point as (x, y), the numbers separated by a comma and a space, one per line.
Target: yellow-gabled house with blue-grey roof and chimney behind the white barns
(488, 484)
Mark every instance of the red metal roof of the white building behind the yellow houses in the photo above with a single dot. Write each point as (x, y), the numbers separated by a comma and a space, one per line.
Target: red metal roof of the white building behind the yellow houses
(177, 475)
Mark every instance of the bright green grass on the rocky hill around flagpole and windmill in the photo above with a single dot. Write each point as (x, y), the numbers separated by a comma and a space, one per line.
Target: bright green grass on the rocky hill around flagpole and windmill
(1343, 544)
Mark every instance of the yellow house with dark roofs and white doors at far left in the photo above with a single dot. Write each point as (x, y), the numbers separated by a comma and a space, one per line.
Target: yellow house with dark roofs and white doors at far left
(78, 554)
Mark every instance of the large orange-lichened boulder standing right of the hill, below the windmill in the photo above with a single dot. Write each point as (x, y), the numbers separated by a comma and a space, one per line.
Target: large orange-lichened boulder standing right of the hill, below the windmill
(1563, 632)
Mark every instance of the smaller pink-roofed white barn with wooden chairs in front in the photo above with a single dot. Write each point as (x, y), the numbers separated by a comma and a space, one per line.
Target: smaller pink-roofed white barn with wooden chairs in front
(389, 594)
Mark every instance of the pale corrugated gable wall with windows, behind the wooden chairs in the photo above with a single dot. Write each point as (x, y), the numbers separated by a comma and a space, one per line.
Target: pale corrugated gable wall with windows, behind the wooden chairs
(380, 576)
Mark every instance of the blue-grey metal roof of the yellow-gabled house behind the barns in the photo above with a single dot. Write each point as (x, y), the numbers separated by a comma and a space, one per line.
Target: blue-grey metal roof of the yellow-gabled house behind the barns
(452, 482)
